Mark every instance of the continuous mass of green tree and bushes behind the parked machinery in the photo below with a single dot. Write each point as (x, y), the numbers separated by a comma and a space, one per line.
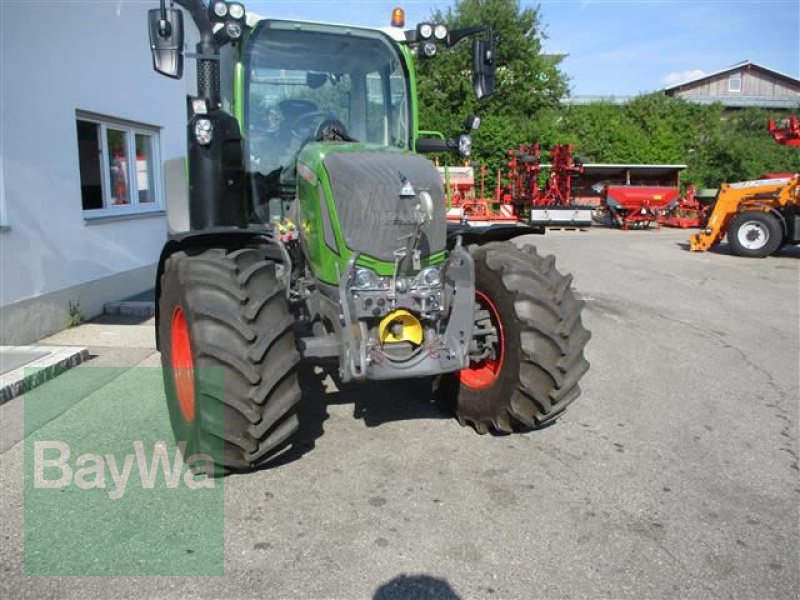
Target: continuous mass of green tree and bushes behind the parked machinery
(716, 144)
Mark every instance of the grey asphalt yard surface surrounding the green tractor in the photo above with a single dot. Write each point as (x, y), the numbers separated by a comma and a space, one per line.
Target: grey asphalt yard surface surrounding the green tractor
(674, 475)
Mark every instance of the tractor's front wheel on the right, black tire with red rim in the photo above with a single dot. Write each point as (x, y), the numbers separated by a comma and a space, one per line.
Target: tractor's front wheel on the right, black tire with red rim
(538, 360)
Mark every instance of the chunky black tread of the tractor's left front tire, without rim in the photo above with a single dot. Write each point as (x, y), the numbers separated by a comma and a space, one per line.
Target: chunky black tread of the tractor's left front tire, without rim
(240, 322)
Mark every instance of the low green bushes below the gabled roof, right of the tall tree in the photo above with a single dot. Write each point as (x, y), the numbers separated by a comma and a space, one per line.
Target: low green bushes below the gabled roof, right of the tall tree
(715, 144)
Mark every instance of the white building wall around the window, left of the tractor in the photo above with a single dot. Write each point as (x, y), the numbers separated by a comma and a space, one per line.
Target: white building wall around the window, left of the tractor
(59, 57)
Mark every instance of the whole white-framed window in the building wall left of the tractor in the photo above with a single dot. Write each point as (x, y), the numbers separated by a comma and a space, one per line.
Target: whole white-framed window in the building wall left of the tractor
(119, 167)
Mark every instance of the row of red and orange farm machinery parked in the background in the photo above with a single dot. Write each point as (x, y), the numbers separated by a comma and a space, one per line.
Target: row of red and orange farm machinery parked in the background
(537, 194)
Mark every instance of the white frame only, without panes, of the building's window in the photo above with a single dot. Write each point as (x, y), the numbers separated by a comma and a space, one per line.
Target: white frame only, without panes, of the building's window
(131, 129)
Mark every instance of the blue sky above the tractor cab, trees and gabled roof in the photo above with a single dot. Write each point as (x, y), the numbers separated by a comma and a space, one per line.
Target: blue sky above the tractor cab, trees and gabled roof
(616, 47)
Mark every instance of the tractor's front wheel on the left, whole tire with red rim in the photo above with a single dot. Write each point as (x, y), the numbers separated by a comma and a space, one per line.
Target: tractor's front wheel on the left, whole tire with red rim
(228, 355)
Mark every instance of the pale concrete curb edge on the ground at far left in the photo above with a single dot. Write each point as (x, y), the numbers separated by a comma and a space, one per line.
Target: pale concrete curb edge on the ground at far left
(58, 359)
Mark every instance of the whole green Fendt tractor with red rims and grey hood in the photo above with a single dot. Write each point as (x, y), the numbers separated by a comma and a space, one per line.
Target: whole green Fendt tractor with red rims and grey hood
(316, 231)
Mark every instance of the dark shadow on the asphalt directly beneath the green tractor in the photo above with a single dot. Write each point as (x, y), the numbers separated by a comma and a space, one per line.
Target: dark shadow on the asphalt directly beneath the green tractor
(374, 402)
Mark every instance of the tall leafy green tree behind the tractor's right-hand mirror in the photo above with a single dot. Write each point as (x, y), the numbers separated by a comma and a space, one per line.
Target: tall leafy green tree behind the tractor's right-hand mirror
(526, 83)
